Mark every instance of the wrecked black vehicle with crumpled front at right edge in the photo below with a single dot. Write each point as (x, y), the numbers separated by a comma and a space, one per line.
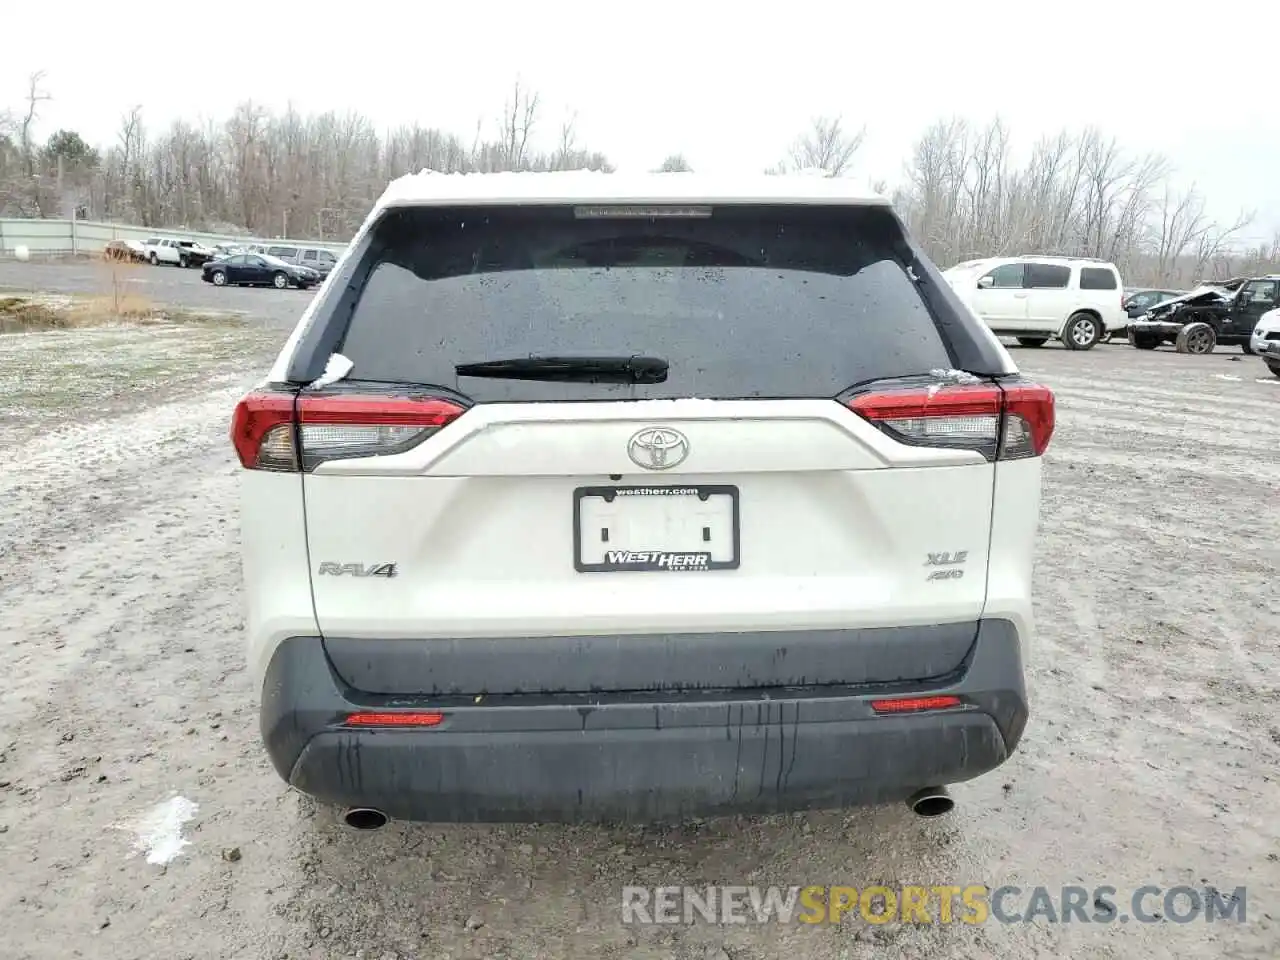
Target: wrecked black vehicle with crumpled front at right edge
(1210, 316)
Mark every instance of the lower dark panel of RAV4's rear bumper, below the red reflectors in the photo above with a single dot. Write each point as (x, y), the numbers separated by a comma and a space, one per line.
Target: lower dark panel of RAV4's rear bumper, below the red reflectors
(756, 766)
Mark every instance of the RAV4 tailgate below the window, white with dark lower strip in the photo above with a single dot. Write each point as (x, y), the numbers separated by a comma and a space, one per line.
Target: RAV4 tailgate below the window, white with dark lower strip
(767, 556)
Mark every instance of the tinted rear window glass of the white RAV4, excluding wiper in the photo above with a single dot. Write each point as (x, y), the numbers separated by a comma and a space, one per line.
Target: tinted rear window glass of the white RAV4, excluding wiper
(746, 303)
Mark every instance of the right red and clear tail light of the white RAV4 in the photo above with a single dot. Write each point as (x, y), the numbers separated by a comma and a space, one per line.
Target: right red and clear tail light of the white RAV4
(1011, 422)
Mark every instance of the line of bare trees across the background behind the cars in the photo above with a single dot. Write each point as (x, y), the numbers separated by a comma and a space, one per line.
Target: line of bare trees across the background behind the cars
(282, 173)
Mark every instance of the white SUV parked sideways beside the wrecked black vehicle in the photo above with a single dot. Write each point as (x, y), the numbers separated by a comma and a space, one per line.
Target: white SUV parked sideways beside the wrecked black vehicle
(1037, 299)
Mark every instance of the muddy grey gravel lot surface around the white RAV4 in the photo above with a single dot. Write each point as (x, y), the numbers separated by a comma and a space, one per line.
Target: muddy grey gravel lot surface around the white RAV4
(1153, 755)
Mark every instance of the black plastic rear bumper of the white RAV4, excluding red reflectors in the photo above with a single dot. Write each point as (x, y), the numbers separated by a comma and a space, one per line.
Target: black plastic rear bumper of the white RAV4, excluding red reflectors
(644, 756)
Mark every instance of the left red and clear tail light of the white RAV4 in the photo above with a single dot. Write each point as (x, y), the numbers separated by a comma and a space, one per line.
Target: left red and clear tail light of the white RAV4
(289, 433)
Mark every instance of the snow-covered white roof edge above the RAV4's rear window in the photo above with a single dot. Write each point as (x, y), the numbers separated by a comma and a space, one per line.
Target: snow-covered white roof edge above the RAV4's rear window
(429, 189)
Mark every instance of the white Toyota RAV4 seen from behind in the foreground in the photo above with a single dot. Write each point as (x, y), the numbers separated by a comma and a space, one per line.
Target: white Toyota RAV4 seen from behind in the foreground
(591, 496)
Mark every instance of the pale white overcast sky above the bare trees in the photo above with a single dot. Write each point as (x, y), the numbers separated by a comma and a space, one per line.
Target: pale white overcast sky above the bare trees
(728, 84)
